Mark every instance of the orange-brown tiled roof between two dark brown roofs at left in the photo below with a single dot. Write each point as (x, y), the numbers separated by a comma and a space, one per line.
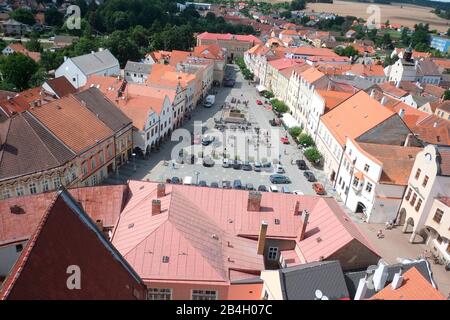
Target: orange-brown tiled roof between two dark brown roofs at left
(72, 123)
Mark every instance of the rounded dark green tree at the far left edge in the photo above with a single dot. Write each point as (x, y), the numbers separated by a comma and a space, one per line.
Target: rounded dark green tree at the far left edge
(18, 69)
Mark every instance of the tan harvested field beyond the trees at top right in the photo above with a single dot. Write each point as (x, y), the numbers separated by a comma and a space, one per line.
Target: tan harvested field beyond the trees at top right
(403, 14)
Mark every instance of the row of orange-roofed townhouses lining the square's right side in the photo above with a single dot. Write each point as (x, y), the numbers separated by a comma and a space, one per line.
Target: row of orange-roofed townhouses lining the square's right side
(370, 137)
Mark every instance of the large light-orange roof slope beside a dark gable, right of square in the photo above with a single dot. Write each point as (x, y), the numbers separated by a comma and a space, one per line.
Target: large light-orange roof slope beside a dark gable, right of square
(355, 116)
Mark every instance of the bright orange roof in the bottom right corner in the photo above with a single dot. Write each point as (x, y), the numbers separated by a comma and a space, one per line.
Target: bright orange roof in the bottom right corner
(414, 287)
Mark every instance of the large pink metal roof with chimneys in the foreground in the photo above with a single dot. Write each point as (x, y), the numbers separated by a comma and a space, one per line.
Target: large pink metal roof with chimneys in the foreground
(191, 215)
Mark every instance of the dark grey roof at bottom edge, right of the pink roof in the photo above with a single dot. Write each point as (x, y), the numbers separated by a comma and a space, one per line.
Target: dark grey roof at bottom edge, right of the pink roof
(301, 282)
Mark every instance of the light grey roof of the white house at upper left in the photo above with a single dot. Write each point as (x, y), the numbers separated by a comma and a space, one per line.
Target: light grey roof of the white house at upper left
(94, 62)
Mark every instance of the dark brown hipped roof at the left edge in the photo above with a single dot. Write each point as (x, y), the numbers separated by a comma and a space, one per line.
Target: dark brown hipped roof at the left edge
(28, 147)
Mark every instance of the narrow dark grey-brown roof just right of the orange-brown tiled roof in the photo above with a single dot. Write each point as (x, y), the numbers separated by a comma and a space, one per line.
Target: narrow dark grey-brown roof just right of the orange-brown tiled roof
(104, 109)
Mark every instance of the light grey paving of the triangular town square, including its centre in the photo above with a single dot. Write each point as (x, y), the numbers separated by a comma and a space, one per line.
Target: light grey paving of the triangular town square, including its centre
(263, 147)
